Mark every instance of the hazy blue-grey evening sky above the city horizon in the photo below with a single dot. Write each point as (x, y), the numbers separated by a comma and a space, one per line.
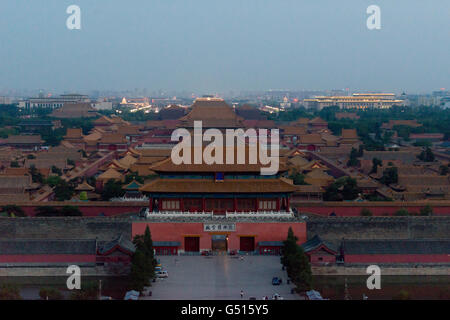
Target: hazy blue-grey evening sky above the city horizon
(216, 46)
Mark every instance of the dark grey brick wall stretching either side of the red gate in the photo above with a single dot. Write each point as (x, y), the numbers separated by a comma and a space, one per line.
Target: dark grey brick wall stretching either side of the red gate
(329, 228)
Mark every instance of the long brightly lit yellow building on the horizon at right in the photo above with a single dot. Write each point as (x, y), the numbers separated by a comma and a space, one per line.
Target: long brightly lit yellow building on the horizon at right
(355, 101)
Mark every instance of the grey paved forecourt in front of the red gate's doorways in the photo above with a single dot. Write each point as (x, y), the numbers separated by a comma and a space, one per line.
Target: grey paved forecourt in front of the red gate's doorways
(220, 278)
